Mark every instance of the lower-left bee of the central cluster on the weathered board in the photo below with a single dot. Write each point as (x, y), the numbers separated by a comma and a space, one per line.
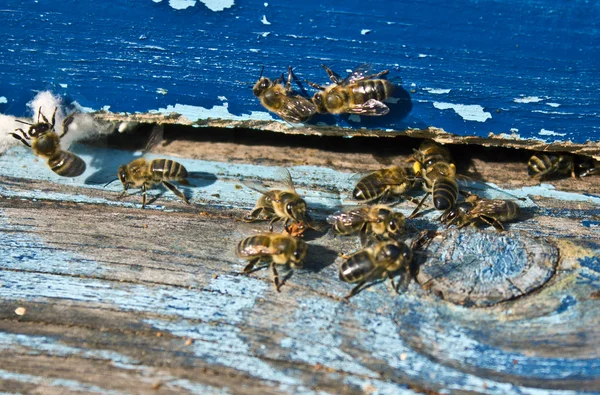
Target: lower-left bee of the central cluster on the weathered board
(276, 249)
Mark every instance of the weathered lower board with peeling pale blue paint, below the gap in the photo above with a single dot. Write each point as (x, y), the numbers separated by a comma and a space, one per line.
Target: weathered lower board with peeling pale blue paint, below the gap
(99, 296)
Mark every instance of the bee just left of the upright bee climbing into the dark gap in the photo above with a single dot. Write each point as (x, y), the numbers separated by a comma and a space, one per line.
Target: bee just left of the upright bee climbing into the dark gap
(383, 183)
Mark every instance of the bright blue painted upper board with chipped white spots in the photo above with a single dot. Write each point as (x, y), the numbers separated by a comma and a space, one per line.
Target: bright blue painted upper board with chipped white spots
(527, 69)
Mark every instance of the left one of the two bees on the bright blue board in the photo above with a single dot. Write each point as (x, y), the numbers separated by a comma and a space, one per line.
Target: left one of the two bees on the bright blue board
(277, 98)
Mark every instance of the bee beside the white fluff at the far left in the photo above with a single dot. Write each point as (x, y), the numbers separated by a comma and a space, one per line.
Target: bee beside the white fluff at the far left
(45, 143)
